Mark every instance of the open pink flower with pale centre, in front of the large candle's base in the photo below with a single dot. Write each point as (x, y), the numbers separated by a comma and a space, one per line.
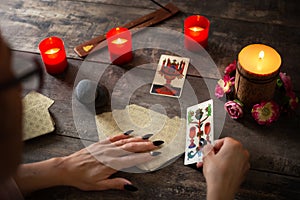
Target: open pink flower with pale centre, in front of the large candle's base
(265, 112)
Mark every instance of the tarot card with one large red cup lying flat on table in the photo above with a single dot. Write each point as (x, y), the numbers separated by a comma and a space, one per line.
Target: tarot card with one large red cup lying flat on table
(170, 75)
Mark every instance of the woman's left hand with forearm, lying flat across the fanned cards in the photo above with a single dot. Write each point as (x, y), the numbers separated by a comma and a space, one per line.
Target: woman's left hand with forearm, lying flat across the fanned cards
(91, 167)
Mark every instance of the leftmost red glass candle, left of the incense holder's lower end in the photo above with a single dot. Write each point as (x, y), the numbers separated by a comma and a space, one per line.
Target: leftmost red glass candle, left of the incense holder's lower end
(53, 54)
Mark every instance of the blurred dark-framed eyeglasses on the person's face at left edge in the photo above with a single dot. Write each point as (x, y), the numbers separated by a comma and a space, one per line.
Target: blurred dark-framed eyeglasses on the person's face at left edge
(27, 72)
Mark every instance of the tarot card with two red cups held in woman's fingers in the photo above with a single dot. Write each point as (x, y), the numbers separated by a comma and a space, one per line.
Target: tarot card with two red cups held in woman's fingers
(199, 131)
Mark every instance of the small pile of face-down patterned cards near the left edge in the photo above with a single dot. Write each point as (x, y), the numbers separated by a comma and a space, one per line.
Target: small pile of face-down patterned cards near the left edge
(36, 117)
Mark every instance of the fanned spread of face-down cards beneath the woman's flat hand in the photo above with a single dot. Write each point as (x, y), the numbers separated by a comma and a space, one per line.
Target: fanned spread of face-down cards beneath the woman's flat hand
(145, 121)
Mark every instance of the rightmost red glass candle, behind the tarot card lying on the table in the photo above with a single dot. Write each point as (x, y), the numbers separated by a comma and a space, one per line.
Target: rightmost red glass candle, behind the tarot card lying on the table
(196, 30)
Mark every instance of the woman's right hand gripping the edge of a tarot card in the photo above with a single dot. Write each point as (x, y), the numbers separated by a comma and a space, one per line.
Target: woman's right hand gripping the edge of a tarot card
(224, 166)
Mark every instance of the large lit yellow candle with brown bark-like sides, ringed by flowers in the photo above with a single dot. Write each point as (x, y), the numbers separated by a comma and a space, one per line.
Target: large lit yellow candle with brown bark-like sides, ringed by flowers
(257, 71)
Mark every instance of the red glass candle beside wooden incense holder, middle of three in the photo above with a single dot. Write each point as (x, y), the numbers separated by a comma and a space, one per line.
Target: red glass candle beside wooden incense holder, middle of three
(119, 45)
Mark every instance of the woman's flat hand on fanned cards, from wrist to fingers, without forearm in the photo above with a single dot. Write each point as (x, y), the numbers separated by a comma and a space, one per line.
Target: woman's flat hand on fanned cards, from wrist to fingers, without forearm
(90, 168)
